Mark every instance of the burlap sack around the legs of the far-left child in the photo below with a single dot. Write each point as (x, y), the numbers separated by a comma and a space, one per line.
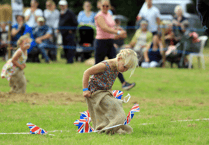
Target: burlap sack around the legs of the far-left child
(18, 82)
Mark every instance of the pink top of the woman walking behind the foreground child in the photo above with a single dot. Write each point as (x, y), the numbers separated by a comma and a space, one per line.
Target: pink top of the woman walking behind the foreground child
(109, 21)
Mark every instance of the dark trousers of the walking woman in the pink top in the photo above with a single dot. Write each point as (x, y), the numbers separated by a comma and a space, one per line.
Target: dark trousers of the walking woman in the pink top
(105, 48)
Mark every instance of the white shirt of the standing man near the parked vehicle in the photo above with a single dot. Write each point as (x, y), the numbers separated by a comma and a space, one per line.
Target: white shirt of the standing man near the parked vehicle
(150, 15)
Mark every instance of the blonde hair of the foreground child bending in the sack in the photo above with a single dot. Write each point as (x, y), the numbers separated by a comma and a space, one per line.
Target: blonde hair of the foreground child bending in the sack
(130, 58)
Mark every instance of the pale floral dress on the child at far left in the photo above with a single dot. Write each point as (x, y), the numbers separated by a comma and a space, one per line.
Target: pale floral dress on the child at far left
(9, 69)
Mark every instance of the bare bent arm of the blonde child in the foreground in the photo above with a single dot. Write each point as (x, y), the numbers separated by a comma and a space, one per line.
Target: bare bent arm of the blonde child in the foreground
(98, 68)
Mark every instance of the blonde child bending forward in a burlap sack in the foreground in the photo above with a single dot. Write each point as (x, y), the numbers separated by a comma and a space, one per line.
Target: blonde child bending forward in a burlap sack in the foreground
(105, 110)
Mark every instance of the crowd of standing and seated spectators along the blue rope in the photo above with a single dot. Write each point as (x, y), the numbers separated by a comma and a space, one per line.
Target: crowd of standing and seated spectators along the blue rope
(45, 27)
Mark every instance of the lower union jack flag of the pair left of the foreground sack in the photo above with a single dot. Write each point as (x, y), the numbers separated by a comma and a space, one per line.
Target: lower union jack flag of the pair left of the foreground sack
(83, 125)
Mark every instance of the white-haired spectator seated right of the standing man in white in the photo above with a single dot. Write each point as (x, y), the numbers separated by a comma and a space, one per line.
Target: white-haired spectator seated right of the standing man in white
(177, 22)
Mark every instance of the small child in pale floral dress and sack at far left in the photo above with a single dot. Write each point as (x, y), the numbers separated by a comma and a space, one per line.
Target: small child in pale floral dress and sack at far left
(13, 69)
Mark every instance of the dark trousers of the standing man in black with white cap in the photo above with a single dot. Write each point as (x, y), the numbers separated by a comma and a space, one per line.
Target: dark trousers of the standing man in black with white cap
(69, 46)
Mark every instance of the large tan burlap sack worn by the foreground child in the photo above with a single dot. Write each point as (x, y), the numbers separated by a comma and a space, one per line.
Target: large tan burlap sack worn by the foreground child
(106, 111)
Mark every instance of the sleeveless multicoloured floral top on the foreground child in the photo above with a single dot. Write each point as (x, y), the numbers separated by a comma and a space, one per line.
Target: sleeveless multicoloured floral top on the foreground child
(103, 81)
